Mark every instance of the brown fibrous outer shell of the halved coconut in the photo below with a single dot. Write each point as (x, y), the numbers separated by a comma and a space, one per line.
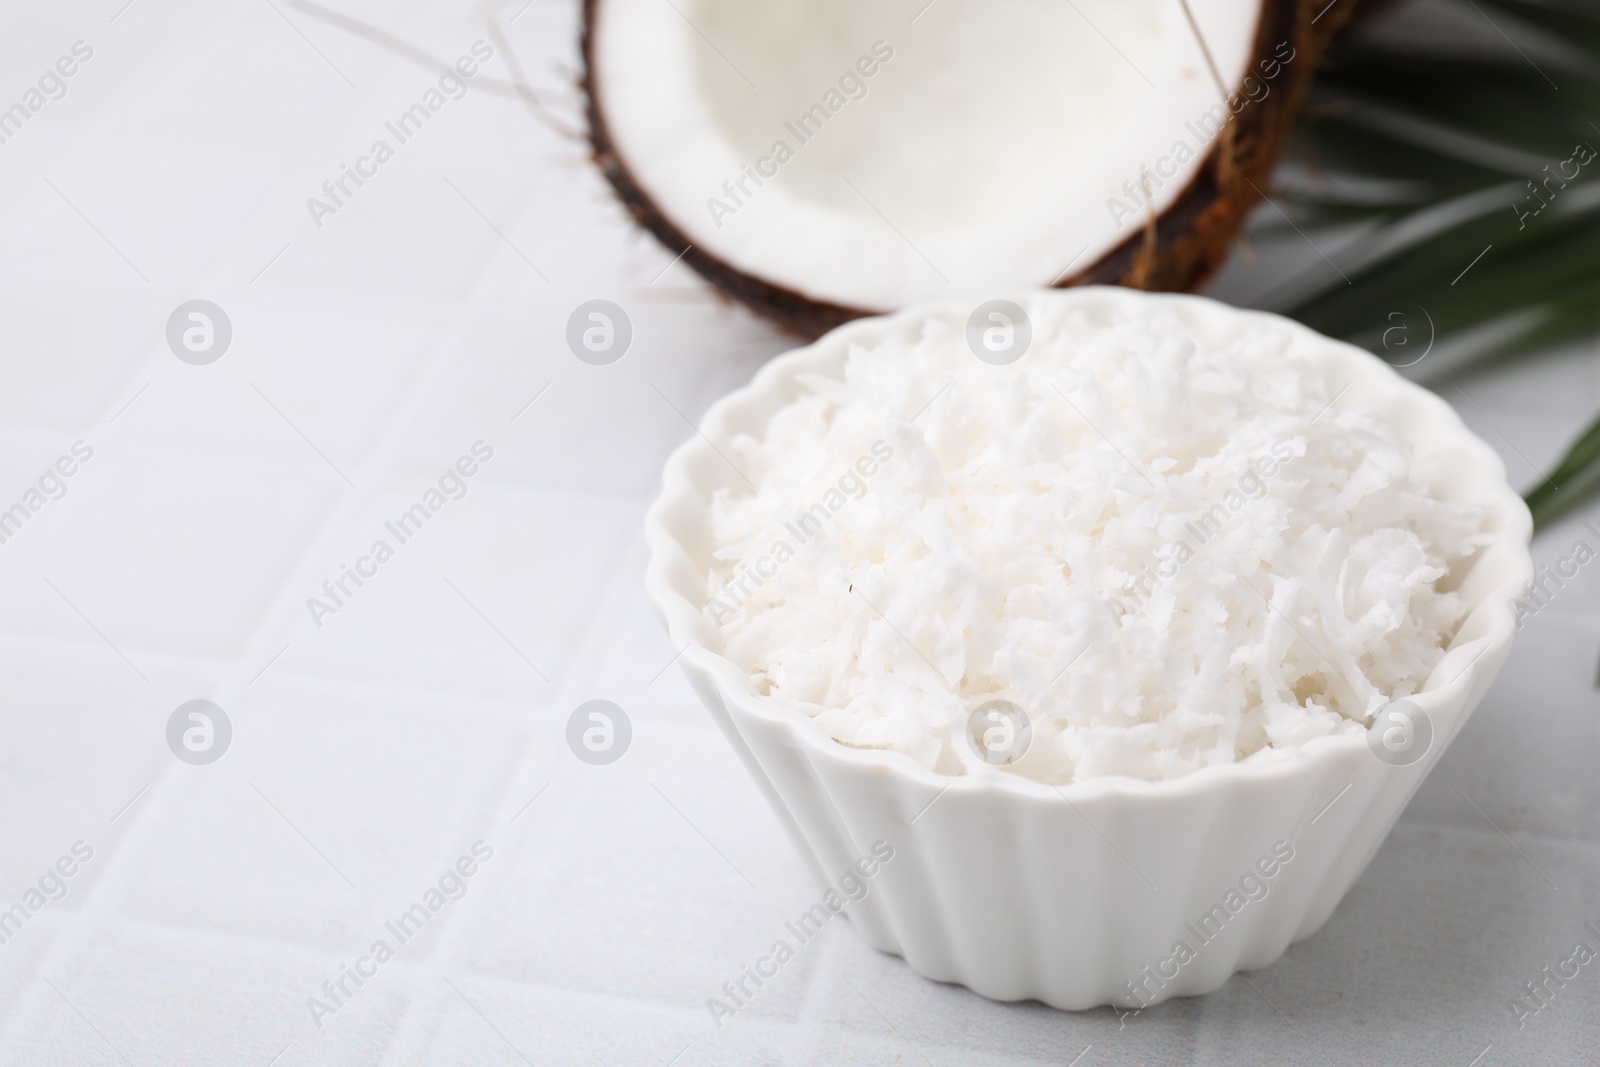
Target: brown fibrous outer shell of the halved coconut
(1175, 252)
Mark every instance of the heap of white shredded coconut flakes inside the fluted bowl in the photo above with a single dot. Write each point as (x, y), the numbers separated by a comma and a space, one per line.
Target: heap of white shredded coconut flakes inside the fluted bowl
(1170, 553)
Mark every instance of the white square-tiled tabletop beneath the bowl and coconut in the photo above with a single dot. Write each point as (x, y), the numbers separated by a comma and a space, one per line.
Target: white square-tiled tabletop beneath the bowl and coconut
(428, 713)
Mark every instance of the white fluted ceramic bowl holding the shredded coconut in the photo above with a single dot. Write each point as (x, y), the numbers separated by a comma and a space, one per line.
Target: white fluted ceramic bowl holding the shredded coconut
(1081, 897)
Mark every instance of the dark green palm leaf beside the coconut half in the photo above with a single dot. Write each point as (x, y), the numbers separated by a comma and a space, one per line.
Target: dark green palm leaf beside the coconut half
(1465, 186)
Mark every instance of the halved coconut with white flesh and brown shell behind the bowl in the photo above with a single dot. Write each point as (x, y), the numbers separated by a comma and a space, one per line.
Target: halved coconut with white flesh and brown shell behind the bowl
(831, 159)
